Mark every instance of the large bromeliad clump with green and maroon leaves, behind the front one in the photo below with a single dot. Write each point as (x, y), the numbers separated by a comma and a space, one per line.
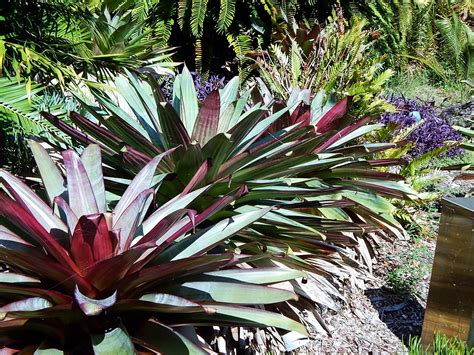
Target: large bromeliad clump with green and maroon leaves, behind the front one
(294, 157)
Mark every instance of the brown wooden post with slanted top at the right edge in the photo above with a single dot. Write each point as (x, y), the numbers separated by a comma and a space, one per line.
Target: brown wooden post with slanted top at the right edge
(450, 306)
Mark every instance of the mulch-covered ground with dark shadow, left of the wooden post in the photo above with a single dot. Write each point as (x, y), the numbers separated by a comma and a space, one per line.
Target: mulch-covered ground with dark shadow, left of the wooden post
(376, 319)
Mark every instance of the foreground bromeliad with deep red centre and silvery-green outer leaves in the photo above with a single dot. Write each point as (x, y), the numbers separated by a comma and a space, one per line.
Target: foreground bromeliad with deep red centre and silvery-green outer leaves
(83, 278)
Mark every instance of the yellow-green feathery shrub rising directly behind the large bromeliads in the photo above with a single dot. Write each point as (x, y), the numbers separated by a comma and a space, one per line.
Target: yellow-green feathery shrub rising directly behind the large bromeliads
(331, 60)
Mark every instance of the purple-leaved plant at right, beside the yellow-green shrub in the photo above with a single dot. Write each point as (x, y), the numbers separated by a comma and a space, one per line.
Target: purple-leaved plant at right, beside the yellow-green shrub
(433, 132)
